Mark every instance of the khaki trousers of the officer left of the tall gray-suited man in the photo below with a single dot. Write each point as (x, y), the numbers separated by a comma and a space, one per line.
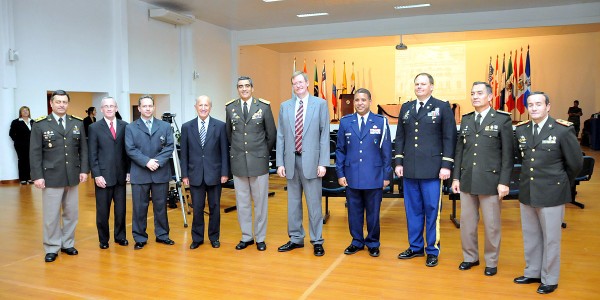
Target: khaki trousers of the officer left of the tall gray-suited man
(258, 188)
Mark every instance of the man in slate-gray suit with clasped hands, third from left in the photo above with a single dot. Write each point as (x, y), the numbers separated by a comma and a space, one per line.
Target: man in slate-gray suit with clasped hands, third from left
(149, 144)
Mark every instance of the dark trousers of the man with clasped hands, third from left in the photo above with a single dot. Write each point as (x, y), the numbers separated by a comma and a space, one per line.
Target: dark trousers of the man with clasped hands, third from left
(140, 194)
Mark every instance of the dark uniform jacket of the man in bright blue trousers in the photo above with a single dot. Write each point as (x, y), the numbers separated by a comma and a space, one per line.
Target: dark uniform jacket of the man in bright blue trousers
(425, 141)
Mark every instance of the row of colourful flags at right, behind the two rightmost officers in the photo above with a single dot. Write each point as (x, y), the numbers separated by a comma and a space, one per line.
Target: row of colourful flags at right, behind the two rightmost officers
(512, 85)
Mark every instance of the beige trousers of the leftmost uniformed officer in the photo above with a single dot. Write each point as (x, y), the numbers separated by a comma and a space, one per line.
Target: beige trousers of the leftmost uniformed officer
(56, 203)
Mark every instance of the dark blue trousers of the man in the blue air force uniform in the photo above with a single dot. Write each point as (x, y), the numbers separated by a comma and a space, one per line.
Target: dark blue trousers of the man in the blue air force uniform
(360, 202)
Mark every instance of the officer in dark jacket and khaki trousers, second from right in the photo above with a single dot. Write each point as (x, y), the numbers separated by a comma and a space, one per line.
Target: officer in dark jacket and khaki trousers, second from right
(484, 161)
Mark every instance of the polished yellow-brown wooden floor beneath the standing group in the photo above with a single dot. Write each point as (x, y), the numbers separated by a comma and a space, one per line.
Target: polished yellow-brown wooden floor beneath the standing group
(160, 271)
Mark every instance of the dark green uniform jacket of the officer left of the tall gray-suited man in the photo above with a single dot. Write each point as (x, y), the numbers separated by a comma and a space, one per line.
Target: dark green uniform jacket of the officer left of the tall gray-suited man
(251, 139)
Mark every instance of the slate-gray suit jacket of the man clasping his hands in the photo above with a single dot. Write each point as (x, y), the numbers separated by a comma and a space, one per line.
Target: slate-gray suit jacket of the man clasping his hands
(141, 146)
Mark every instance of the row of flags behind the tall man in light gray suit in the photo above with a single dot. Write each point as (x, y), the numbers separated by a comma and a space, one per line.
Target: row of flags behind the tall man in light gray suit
(320, 90)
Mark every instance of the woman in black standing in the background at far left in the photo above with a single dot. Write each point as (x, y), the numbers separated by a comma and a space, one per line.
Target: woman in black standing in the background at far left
(20, 131)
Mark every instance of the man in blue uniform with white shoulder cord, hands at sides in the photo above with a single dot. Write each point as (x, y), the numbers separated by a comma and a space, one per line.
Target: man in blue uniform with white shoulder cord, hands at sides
(364, 166)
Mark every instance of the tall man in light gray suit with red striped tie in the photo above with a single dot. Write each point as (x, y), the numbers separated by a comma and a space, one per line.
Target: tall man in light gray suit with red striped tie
(302, 154)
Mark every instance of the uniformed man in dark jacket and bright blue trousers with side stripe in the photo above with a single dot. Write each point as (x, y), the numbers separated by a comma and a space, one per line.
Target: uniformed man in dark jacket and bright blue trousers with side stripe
(425, 141)
